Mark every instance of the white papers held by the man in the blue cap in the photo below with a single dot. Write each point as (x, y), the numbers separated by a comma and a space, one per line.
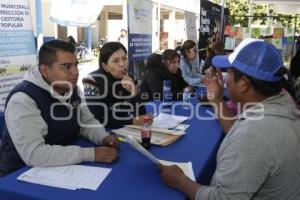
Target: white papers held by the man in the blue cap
(186, 167)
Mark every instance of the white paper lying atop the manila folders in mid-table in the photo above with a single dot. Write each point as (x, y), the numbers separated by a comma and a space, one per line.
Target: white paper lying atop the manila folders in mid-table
(168, 121)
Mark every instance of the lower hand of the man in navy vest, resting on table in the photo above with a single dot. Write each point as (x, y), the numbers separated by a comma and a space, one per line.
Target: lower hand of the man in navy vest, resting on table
(105, 154)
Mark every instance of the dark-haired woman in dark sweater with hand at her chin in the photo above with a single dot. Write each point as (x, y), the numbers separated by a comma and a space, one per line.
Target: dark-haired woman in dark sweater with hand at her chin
(110, 92)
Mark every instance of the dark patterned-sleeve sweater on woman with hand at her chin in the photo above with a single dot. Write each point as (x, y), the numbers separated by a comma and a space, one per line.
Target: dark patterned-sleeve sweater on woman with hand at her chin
(113, 99)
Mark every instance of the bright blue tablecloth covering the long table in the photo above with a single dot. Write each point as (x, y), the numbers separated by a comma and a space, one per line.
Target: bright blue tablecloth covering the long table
(133, 176)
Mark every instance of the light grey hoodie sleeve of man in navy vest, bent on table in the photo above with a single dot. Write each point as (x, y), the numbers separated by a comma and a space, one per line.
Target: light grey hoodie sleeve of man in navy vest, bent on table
(28, 129)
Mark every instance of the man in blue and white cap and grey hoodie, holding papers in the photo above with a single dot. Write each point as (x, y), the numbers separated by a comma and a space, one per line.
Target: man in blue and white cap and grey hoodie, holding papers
(259, 156)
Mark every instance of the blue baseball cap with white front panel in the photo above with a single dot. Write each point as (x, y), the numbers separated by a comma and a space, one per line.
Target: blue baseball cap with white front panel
(254, 57)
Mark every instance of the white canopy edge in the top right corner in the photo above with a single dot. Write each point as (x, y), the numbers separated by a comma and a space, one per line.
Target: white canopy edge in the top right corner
(283, 6)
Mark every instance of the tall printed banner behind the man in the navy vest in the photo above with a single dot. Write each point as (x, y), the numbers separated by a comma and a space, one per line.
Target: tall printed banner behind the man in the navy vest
(17, 45)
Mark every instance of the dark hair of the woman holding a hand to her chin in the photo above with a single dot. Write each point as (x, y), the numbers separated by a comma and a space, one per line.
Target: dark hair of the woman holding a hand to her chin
(108, 49)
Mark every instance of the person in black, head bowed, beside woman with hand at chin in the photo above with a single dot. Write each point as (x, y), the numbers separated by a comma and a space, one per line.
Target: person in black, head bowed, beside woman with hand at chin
(160, 68)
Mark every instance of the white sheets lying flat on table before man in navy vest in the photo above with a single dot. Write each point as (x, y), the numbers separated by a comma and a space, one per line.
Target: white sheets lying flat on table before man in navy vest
(68, 177)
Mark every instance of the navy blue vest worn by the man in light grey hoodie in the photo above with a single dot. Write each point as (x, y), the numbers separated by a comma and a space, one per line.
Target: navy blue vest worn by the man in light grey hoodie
(60, 132)
